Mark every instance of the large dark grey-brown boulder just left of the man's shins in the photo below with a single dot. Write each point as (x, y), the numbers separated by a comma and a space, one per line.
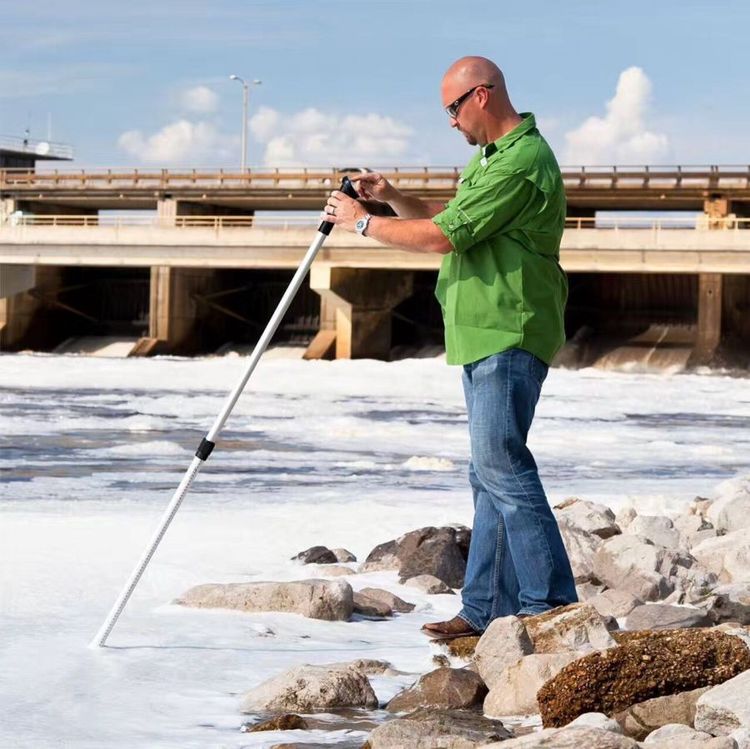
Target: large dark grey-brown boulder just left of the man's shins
(440, 552)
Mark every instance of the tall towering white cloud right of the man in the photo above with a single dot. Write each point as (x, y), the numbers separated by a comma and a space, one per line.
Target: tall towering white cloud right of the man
(621, 136)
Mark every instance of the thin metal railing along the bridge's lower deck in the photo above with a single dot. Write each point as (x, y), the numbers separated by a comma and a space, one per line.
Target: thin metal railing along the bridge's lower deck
(700, 222)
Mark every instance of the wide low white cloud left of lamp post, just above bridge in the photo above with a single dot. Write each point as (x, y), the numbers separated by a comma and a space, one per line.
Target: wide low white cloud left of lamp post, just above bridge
(180, 142)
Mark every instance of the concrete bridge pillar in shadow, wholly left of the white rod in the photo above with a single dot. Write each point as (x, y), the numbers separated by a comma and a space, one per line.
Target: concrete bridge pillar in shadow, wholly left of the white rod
(173, 310)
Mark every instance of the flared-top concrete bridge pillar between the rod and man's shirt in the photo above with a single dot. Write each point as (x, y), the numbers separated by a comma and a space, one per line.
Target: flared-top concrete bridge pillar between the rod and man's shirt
(363, 300)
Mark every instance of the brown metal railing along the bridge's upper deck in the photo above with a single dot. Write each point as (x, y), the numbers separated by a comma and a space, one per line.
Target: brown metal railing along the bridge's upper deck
(594, 177)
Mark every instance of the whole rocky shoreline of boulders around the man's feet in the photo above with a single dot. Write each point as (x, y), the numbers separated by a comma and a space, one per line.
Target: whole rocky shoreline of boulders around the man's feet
(655, 654)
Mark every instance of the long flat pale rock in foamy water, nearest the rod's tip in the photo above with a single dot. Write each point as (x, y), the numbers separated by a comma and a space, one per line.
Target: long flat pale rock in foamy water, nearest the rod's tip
(330, 600)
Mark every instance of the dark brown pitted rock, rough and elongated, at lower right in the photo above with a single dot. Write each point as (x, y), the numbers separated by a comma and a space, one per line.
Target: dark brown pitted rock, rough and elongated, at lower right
(645, 665)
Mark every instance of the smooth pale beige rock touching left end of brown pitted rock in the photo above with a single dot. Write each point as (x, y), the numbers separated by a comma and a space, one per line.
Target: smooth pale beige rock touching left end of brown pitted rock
(515, 689)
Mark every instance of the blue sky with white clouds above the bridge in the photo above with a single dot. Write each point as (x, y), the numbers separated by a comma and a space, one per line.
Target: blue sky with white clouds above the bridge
(146, 84)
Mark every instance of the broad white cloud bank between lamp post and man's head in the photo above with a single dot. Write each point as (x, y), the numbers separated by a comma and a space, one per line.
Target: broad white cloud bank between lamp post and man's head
(313, 138)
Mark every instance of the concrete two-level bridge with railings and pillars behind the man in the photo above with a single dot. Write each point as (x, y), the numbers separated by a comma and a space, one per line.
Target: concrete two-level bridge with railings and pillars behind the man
(204, 224)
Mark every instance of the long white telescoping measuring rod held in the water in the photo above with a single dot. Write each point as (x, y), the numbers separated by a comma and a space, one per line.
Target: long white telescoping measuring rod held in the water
(208, 442)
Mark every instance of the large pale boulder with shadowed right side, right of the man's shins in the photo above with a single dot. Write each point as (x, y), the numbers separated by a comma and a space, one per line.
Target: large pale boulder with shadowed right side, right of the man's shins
(630, 564)
